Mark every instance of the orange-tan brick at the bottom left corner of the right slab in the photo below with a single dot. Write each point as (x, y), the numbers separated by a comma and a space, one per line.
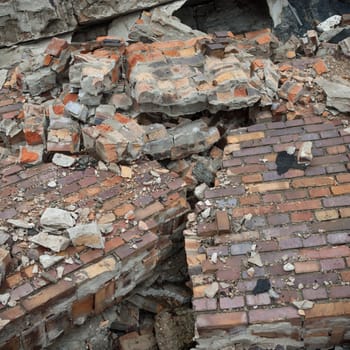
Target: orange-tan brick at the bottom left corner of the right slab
(226, 320)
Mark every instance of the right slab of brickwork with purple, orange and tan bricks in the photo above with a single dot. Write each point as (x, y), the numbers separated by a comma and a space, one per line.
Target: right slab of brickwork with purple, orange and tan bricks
(300, 219)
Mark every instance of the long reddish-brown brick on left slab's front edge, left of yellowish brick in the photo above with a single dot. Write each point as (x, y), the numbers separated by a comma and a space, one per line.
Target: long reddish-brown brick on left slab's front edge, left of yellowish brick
(48, 295)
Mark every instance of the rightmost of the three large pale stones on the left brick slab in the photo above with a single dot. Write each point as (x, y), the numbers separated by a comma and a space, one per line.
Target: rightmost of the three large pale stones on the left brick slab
(88, 235)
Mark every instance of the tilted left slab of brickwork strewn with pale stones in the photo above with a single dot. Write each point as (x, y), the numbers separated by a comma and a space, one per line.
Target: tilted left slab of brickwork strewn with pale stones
(147, 214)
